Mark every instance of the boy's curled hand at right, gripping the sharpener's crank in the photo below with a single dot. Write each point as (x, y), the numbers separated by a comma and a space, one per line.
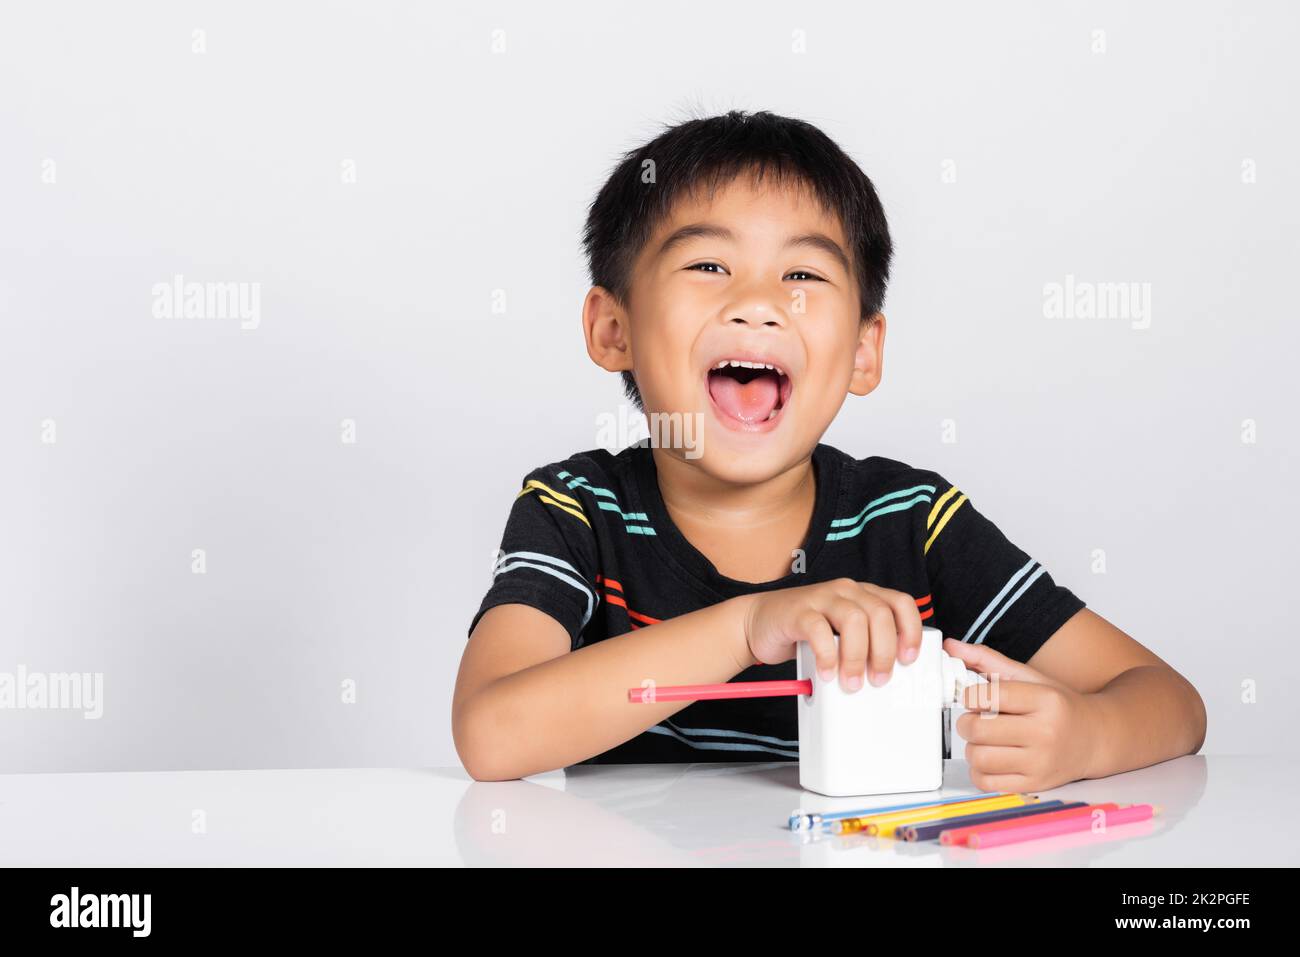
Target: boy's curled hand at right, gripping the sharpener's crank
(1025, 731)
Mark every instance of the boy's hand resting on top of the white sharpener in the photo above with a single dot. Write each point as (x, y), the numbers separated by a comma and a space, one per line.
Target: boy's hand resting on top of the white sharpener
(876, 626)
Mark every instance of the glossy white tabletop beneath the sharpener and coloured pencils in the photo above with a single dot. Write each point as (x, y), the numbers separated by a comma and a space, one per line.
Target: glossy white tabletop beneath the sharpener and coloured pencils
(638, 815)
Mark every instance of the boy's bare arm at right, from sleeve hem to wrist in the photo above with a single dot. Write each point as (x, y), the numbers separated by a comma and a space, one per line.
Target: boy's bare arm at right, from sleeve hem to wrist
(1146, 712)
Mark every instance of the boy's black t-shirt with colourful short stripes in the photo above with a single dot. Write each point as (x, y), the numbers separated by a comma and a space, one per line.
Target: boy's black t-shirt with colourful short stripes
(590, 542)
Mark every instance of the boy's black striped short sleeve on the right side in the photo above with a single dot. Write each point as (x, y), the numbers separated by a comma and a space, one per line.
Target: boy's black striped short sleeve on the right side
(985, 590)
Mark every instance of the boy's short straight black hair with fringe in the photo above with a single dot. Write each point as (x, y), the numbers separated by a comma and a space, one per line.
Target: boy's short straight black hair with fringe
(710, 153)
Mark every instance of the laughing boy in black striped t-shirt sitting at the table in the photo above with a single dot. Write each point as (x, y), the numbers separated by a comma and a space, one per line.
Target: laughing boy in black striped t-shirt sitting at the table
(739, 267)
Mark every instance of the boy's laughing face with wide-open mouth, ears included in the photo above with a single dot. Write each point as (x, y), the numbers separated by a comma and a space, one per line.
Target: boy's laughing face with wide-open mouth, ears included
(761, 274)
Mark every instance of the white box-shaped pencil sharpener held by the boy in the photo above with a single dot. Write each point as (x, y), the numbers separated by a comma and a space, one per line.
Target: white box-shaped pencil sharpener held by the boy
(879, 741)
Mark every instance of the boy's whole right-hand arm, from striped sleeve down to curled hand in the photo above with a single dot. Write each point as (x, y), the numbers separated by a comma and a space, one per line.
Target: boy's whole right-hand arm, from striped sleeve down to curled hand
(1098, 703)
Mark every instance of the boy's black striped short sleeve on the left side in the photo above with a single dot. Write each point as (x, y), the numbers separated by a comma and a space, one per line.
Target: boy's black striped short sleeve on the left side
(548, 556)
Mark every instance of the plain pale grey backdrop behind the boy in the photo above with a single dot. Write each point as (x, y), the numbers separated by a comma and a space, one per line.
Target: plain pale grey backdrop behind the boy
(379, 180)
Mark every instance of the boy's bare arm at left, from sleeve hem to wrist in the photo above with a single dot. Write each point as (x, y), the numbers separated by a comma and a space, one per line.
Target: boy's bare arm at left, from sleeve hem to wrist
(526, 704)
